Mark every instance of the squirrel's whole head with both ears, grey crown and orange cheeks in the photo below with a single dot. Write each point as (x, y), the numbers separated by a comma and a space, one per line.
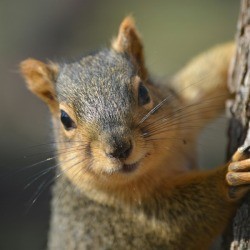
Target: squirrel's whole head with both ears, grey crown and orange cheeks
(99, 102)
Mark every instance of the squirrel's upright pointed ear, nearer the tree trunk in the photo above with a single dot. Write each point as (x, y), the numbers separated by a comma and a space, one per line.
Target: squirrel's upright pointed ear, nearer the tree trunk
(128, 41)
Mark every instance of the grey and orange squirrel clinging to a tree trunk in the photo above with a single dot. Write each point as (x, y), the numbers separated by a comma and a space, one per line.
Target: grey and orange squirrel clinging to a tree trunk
(127, 175)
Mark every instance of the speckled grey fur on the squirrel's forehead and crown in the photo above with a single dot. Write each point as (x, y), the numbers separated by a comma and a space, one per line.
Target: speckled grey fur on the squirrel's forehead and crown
(98, 87)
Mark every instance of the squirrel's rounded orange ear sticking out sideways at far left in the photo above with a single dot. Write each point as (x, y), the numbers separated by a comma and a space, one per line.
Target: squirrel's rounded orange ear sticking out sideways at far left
(40, 79)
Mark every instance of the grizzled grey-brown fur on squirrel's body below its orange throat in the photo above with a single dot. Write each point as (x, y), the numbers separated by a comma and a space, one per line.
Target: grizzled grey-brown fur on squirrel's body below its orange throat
(79, 223)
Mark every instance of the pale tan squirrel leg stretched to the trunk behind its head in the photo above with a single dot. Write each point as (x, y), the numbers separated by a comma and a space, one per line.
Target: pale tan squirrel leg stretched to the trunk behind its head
(202, 83)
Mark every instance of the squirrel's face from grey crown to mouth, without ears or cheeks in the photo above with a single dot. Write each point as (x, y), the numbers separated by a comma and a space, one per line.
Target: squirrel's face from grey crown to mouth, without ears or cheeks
(104, 100)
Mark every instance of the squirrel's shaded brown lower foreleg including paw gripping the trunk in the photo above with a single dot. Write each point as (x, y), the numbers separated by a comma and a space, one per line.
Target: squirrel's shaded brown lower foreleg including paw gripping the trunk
(203, 202)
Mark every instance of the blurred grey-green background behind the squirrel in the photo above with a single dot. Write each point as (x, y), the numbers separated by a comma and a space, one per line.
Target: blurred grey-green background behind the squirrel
(173, 32)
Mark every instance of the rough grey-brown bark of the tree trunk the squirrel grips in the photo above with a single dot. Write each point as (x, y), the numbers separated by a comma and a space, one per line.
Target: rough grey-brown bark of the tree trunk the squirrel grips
(238, 236)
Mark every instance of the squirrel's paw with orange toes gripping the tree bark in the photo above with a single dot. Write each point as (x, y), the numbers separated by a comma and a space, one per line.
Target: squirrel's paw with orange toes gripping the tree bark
(238, 175)
